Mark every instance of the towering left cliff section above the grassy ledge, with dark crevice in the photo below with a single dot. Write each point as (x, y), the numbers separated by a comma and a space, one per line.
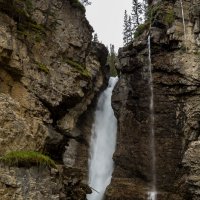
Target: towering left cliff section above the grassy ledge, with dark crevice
(49, 69)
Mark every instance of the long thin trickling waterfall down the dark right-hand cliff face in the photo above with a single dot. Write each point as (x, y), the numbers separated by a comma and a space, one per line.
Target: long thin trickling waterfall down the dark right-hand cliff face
(152, 194)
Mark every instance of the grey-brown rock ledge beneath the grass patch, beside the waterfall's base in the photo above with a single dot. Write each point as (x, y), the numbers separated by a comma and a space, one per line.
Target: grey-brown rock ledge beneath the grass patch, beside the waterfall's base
(37, 183)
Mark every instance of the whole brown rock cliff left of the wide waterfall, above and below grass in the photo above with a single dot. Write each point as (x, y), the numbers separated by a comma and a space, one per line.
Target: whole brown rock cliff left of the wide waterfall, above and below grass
(50, 73)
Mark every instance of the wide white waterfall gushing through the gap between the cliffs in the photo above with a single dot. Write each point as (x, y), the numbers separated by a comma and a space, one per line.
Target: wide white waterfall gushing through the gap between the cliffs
(102, 145)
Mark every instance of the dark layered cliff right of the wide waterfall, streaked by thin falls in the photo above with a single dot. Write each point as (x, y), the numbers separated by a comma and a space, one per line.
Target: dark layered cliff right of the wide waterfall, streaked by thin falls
(176, 79)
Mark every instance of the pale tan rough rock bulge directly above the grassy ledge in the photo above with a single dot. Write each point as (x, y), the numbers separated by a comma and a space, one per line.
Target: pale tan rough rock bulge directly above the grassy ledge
(16, 132)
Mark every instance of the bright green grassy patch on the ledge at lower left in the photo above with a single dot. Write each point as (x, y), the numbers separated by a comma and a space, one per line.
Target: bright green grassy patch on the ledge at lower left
(27, 158)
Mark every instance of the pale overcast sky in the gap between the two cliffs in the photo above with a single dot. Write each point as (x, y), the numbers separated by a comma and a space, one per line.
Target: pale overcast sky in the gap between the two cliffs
(106, 18)
